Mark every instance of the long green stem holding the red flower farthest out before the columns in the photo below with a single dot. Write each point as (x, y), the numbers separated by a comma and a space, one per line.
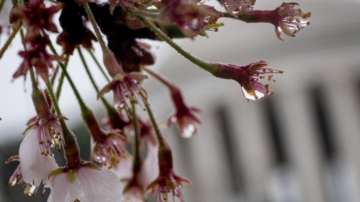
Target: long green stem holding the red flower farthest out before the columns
(212, 68)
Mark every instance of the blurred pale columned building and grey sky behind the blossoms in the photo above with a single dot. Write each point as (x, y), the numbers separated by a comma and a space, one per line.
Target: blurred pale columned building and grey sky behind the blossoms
(299, 145)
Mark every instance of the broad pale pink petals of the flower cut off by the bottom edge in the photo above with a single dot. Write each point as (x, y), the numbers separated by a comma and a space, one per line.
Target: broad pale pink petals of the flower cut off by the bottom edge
(87, 183)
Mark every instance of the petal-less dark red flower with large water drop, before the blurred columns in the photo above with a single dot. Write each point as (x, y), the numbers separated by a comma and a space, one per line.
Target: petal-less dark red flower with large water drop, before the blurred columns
(248, 77)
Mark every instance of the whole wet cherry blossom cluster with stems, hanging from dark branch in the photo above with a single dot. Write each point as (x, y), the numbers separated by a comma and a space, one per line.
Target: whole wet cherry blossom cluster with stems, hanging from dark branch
(131, 158)
